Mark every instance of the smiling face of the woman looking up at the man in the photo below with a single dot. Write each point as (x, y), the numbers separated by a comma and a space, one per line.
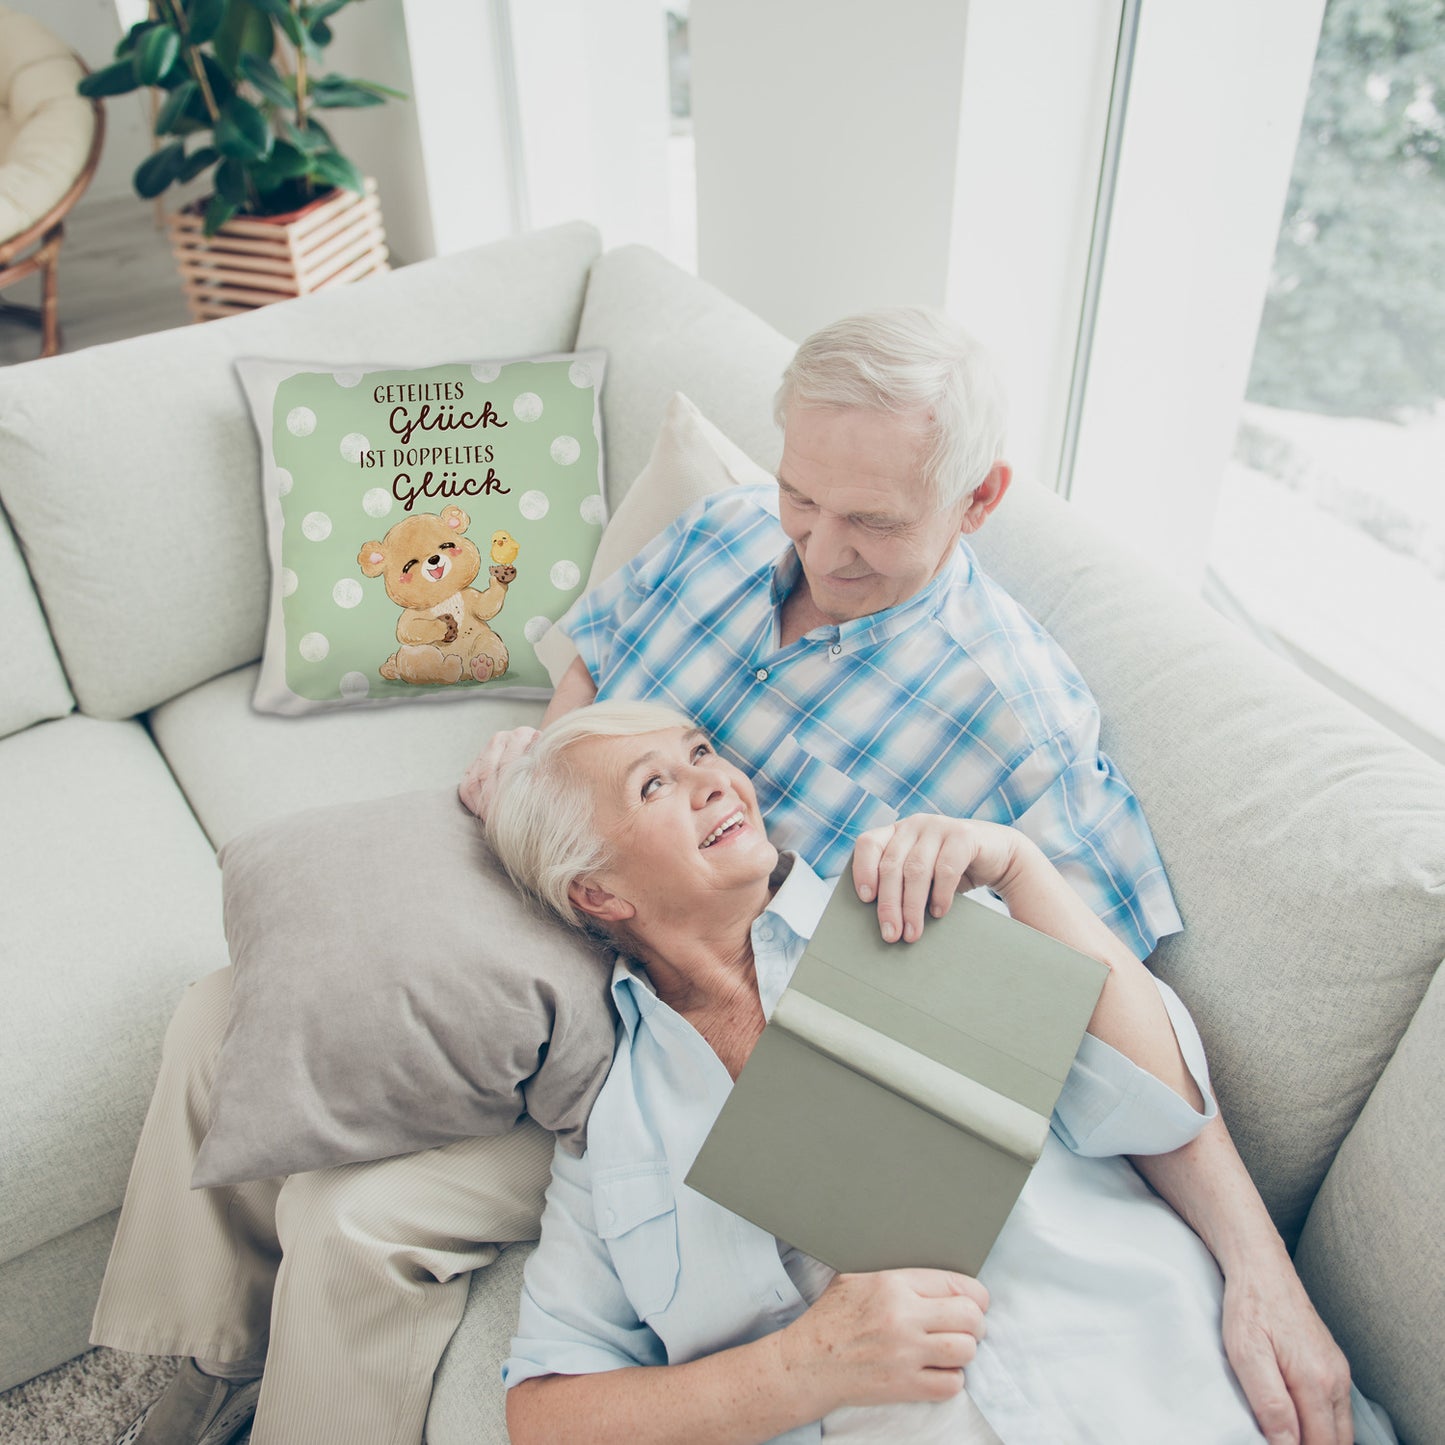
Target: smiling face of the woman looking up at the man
(683, 824)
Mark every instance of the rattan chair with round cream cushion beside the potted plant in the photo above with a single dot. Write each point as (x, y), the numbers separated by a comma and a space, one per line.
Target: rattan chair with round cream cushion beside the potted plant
(50, 148)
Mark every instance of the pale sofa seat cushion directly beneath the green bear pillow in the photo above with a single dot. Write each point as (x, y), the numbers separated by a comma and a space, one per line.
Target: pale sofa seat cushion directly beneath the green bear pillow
(242, 768)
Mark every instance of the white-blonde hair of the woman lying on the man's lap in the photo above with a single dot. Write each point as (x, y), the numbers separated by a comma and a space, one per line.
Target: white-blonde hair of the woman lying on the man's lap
(543, 821)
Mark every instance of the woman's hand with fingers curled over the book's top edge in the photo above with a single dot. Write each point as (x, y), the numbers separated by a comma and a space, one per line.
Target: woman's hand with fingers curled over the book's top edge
(918, 865)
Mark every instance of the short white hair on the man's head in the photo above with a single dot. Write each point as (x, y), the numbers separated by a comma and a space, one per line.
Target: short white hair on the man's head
(908, 361)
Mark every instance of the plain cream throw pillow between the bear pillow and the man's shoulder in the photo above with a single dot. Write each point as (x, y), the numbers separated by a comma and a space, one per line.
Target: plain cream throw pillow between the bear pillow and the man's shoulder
(690, 460)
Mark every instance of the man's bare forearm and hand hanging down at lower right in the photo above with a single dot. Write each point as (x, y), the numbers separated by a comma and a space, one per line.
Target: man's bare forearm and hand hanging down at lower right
(1293, 1372)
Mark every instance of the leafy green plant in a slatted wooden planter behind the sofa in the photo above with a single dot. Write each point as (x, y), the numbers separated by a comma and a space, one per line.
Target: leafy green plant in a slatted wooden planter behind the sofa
(241, 85)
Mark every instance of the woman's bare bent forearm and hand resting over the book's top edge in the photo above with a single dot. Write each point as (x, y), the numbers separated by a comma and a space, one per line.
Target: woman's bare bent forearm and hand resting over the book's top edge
(918, 865)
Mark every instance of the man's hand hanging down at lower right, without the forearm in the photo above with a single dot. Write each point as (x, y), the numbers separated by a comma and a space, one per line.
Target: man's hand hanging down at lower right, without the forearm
(1293, 1372)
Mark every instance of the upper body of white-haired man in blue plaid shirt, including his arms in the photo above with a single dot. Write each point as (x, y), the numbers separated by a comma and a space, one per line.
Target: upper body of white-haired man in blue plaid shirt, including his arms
(839, 641)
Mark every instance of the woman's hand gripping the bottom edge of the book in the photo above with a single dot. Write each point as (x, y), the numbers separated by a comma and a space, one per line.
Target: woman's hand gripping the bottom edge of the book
(902, 1334)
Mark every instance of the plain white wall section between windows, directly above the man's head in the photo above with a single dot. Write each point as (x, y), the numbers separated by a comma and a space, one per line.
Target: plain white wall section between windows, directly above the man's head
(827, 147)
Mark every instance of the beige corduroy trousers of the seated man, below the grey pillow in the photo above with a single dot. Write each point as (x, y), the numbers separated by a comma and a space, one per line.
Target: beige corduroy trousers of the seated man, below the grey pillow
(349, 1281)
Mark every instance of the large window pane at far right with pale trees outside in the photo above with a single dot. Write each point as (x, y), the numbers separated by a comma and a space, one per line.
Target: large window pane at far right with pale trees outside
(1330, 532)
